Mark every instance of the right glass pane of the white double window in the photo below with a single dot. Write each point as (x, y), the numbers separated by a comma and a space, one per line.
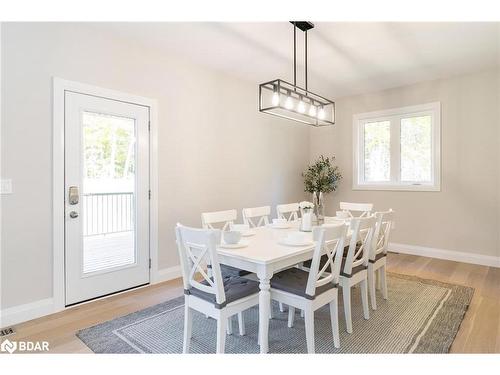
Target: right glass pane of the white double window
(416, 149)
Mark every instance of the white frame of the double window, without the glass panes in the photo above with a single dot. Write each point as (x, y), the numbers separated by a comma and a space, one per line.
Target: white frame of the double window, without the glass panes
(394, 116)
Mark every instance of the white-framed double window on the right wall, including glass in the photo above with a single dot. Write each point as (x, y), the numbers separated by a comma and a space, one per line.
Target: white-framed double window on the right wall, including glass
(398, 149)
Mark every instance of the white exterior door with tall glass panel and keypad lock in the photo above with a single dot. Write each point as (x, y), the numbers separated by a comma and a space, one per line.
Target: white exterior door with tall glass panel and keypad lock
(106, 196)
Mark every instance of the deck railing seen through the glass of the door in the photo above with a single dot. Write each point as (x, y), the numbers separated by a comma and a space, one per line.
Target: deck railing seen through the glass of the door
(105, 213)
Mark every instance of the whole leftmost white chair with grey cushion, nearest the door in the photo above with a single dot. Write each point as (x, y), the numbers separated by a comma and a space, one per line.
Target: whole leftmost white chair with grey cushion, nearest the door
(215, 296)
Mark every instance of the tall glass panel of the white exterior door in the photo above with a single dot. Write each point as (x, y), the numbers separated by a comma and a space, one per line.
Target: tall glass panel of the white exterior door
(108, 191)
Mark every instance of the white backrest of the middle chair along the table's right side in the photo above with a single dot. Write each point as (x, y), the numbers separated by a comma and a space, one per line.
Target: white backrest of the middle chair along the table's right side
(361, 242)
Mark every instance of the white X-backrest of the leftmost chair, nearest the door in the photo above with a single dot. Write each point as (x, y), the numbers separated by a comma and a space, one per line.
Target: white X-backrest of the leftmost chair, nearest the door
(197, 248)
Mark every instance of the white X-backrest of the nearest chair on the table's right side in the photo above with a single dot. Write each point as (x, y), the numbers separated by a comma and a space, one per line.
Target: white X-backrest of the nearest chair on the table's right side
(330, 242)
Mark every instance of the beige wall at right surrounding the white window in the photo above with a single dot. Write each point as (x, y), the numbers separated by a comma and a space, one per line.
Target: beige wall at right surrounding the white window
(464, 215)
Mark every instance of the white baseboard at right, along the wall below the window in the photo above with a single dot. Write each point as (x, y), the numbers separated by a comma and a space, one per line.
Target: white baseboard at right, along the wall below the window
(457, 256)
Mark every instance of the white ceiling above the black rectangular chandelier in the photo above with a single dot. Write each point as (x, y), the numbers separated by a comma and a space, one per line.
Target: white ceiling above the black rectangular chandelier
(344, 58)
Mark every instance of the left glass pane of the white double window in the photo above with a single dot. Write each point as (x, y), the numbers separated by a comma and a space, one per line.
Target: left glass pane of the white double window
(377, 142)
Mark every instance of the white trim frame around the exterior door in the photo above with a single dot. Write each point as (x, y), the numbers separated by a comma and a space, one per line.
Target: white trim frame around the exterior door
(60, 86)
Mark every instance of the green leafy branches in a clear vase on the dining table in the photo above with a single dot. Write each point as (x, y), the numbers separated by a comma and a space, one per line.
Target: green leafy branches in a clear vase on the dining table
(321, 177)
